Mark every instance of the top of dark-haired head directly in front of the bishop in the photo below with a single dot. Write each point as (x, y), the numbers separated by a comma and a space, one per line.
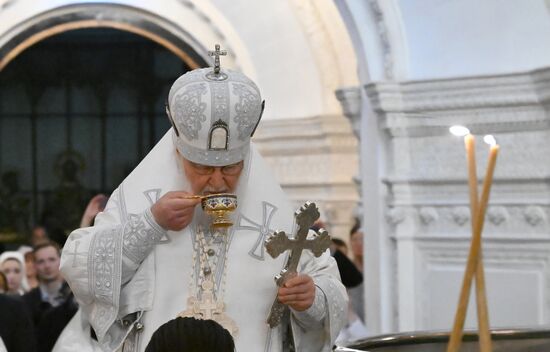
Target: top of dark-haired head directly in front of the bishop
(191, 335)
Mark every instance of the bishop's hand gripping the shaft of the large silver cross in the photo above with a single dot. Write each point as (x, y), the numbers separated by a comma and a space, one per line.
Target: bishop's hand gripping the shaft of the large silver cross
(297, 293)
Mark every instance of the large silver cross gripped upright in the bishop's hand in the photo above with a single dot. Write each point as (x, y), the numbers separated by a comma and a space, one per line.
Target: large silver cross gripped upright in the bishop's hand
(280, 242)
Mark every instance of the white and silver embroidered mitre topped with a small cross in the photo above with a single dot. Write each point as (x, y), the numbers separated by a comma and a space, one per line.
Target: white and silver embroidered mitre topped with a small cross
(214, 112)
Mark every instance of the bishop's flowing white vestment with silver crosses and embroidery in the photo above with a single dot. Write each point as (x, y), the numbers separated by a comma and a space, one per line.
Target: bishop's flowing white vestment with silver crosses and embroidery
(130, 276)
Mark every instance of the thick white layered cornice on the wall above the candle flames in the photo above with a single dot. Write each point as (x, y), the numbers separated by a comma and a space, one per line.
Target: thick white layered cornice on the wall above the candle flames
(513, 102)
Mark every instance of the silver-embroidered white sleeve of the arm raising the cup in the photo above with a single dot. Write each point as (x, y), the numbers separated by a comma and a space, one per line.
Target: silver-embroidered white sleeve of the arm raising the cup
(99, 261)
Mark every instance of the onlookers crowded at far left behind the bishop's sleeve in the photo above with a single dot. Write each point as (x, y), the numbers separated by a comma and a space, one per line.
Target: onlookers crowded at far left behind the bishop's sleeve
(34, 291)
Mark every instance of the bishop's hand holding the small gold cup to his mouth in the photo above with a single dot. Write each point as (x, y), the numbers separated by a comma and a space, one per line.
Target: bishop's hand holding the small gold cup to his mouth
(174, 210)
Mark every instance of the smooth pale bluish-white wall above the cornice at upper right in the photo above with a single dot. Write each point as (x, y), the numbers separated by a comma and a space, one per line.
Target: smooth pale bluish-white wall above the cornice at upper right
(470, 37)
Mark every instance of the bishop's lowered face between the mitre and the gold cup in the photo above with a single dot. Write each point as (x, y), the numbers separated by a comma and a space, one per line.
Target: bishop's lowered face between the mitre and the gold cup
(210, 179)
